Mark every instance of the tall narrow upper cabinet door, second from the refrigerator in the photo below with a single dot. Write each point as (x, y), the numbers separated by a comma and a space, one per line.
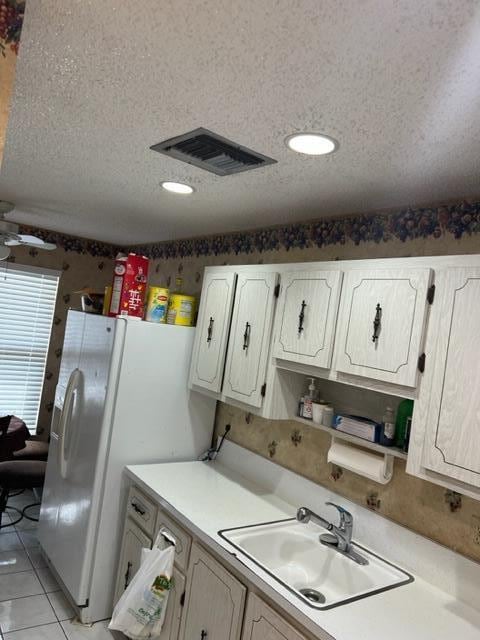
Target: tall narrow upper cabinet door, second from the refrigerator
(250, 337)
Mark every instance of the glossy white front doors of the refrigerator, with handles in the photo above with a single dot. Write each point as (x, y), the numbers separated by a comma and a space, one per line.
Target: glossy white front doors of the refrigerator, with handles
(74, 477)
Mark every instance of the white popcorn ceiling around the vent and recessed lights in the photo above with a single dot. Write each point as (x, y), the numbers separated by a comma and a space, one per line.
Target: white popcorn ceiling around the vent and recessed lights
(396, 82)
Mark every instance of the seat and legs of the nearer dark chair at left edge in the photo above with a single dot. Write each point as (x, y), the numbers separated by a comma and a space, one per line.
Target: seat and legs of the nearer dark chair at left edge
(17, 475)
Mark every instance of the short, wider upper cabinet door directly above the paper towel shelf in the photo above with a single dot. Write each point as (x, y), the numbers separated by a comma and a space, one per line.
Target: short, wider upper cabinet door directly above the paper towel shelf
(381, 324)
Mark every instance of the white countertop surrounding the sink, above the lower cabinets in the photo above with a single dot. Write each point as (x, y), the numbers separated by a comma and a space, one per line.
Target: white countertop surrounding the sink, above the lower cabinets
(208, 497)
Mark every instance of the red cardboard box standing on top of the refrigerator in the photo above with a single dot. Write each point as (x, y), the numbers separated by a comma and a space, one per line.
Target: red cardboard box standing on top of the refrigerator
(129, 286)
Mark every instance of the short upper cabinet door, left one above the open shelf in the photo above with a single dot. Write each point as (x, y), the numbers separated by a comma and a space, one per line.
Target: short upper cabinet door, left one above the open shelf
(307, 315)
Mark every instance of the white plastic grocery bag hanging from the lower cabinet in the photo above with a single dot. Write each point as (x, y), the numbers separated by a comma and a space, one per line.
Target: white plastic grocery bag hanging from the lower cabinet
(140, 612)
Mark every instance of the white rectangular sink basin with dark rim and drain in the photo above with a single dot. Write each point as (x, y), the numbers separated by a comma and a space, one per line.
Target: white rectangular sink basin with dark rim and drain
(291, 553)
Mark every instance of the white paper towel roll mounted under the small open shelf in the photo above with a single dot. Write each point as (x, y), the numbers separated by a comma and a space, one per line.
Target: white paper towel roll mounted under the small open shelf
(376, 467)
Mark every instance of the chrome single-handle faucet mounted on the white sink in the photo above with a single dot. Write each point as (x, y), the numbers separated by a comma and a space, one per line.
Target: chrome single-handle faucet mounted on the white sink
(340, 538)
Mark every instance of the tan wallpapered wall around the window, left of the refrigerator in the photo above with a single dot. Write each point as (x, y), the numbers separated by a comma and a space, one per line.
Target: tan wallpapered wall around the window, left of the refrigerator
(77, 271)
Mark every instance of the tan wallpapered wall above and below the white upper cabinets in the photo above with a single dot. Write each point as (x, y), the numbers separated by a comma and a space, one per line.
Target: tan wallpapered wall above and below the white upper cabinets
(417, 504)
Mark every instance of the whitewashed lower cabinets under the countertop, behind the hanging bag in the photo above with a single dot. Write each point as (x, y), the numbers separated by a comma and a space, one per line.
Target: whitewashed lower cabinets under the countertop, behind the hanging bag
(209, 602)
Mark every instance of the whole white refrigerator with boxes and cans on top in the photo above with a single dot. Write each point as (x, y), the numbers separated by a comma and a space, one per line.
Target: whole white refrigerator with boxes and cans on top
(122, 398)
